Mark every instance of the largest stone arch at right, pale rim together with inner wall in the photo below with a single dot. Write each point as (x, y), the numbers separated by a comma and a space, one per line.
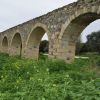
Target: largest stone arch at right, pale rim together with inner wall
(73, 28)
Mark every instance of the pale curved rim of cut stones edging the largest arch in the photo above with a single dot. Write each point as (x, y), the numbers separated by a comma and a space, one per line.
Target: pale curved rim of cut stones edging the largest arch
(82, 11)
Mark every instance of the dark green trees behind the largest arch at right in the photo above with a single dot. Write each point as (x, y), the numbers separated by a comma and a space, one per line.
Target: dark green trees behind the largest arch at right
(92, 44)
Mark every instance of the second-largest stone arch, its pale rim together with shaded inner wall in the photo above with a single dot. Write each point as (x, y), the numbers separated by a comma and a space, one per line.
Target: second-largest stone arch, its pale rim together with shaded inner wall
(34, 38)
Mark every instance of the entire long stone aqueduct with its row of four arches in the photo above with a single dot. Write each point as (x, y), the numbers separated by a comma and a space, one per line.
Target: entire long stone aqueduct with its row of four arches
(63, 27)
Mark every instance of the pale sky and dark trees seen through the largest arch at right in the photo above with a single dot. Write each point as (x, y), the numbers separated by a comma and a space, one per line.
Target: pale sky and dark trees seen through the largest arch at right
(88, 41)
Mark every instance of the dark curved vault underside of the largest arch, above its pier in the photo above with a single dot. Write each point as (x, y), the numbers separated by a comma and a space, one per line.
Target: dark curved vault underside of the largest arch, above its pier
(77, 25)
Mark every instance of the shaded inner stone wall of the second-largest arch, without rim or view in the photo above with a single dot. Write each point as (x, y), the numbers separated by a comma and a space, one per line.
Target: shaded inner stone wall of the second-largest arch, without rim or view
(33, 42)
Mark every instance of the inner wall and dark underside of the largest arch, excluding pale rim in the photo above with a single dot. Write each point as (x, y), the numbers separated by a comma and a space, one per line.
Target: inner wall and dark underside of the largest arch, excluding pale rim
(72, 33)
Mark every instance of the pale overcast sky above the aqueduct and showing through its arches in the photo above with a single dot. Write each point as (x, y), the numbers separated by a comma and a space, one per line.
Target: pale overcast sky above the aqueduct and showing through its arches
(14, 12)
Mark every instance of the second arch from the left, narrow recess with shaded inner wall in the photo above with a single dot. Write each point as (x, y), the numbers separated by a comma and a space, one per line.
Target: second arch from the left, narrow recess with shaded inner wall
(16, 45)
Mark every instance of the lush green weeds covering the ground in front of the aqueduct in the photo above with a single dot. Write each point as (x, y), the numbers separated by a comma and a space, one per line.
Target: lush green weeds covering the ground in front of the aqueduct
(24, 79)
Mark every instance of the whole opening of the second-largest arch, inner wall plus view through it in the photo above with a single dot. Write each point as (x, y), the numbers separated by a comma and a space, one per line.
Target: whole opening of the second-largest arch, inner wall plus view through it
(35, 42)
